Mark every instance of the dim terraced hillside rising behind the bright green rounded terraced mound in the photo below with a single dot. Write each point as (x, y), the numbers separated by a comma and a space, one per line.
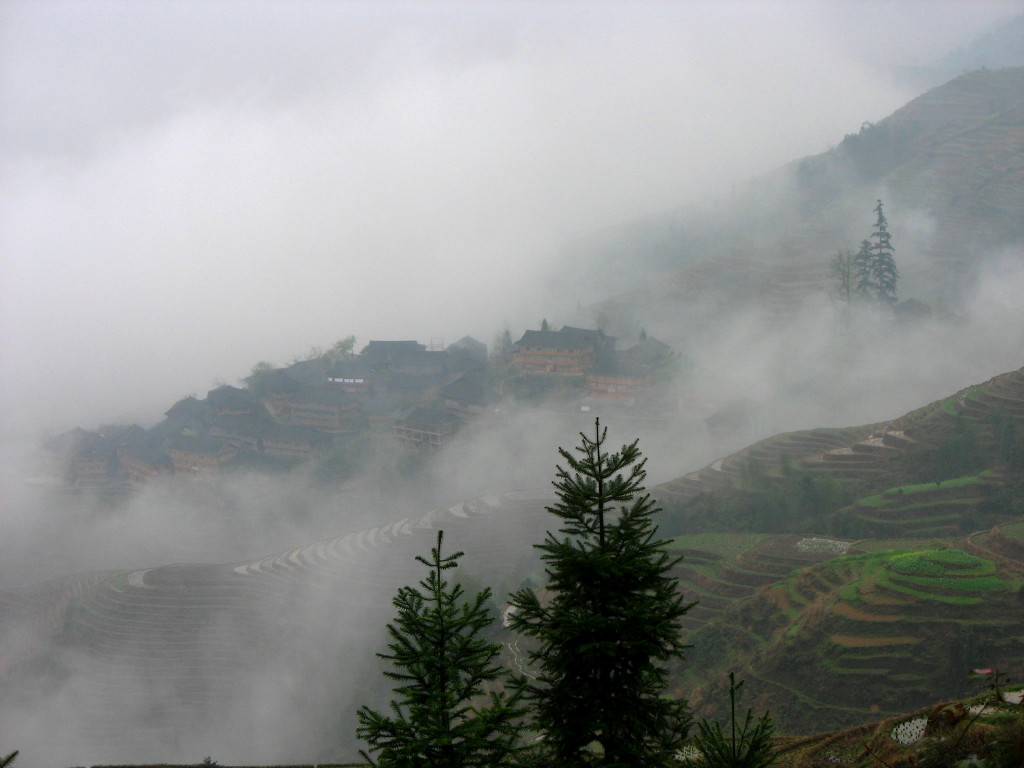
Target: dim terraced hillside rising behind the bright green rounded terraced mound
(947, 468)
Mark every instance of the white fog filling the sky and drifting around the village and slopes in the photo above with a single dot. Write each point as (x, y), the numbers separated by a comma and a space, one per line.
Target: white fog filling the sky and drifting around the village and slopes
(188, 189)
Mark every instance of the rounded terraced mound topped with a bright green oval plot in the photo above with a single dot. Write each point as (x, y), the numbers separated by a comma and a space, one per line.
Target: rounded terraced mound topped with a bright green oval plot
(884, 622)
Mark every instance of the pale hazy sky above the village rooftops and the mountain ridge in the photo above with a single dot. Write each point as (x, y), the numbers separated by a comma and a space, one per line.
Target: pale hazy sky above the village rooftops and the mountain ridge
(188, 188)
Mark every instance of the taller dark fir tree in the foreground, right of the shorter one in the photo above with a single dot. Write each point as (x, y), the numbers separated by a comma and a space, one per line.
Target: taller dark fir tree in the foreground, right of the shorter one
(610, 623)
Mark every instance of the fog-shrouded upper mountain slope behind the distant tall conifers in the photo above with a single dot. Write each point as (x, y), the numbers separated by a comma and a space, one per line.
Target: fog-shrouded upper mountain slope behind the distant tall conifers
(950, 166)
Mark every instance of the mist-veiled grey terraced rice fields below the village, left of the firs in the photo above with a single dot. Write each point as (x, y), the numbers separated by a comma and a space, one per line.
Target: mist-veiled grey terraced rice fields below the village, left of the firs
(180, 652)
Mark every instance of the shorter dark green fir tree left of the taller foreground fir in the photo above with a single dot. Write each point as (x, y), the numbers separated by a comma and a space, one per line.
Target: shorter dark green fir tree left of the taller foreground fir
(449, 714)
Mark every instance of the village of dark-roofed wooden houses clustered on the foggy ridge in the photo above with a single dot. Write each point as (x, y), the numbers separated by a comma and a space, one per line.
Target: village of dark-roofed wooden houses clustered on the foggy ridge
(418, 397)
